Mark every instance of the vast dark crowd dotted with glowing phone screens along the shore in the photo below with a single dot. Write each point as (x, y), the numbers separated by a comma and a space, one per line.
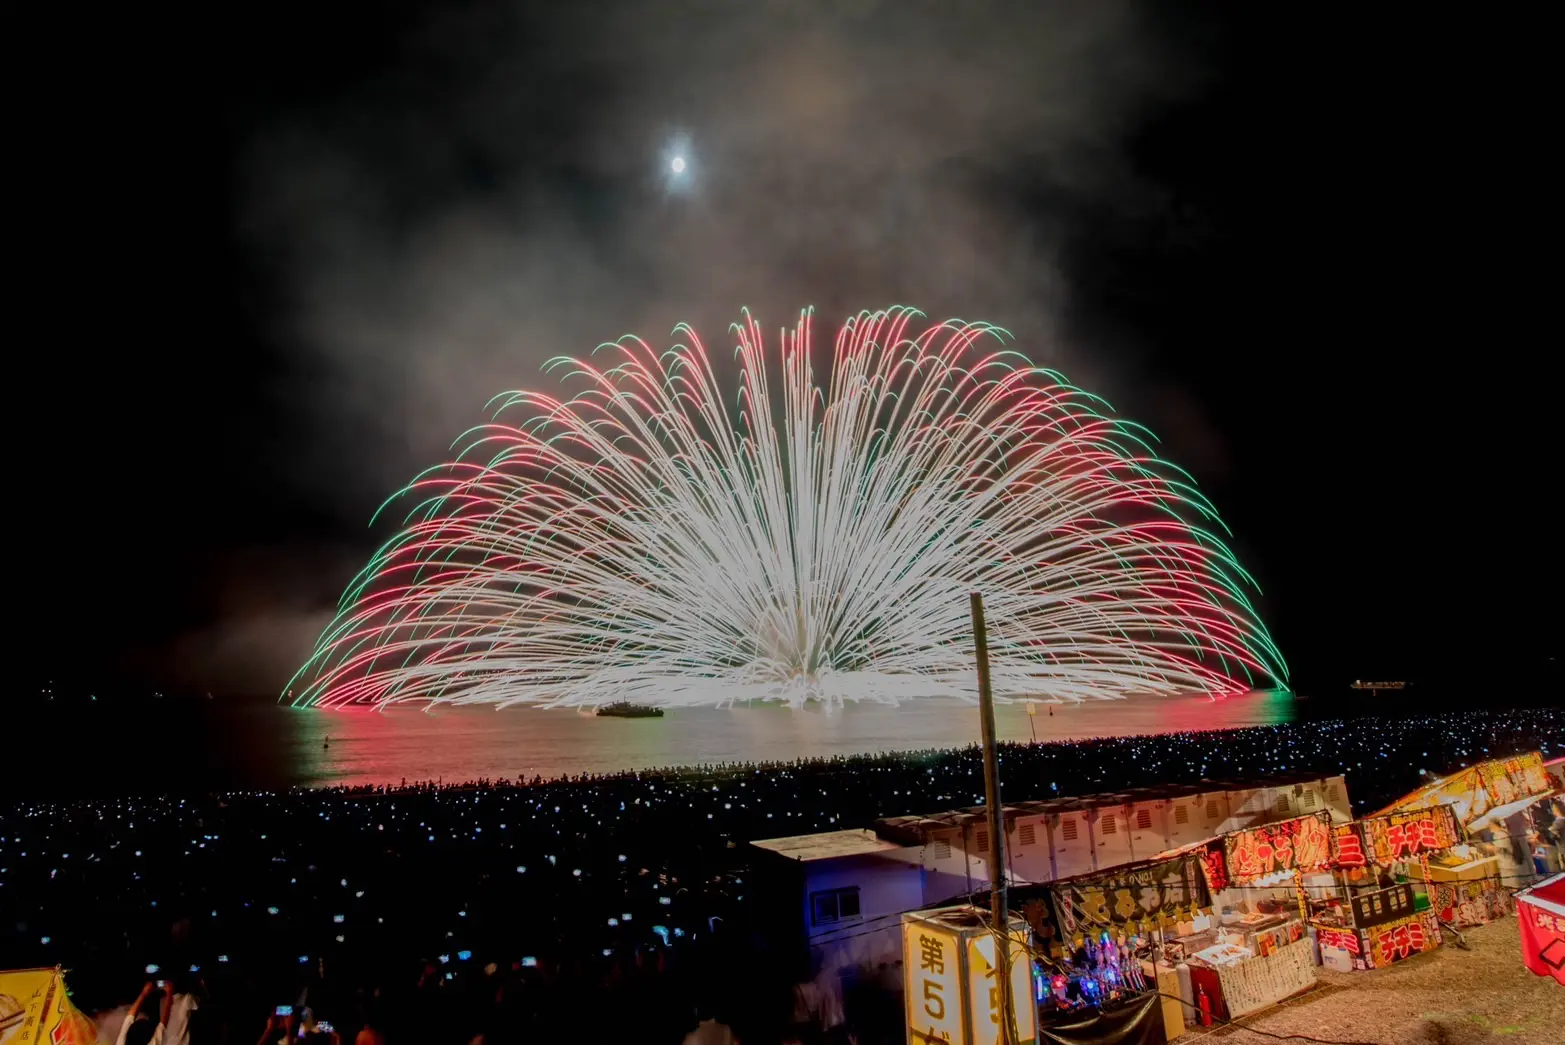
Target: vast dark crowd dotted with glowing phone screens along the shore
(597, 908)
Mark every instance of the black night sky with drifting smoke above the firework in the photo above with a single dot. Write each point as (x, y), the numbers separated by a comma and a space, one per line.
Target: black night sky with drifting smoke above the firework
(276, 256)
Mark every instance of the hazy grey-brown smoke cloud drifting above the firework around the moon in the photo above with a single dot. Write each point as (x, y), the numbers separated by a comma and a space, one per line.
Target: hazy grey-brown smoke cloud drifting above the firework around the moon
(498, 193)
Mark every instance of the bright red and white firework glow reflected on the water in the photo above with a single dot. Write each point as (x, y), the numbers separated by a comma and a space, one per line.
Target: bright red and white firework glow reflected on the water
(459, 744)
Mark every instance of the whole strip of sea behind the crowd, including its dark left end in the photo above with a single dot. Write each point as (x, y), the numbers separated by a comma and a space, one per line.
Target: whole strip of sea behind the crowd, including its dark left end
(254, 744)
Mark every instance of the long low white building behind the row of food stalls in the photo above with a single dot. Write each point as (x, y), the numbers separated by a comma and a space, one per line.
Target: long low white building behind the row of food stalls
(846, 891)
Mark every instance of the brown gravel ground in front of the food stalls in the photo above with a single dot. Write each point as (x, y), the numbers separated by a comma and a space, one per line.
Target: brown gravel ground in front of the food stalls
(1448, 997)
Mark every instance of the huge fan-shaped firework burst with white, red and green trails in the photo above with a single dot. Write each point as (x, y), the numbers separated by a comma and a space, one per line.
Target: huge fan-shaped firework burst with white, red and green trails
(655, 539)
